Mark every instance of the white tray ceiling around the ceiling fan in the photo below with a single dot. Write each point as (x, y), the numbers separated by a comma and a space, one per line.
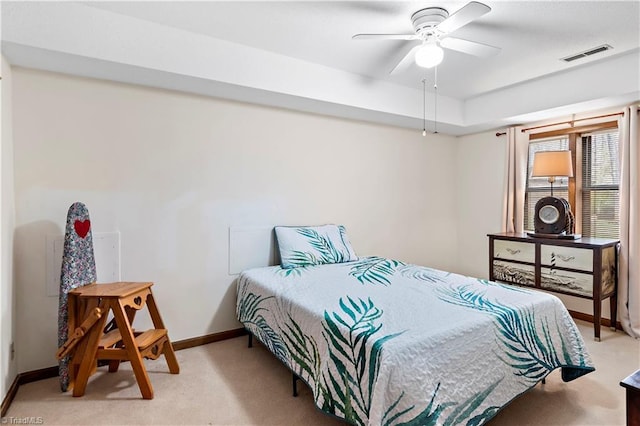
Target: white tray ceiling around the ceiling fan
(299, 54)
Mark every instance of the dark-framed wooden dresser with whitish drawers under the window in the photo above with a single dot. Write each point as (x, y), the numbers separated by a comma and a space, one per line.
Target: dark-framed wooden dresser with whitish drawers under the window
(585, 268)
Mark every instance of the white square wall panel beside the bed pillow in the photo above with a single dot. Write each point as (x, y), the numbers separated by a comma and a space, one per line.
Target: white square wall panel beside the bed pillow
(250, 247)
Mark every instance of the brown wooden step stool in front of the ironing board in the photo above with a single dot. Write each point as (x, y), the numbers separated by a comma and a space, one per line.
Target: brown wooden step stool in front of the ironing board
(89, 307)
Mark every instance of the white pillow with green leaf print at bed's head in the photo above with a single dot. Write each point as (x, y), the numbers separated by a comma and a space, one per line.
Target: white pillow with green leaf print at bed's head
(313, 245)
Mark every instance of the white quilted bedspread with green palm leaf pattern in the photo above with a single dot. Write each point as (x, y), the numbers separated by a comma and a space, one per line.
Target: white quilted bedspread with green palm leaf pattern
(382, 342)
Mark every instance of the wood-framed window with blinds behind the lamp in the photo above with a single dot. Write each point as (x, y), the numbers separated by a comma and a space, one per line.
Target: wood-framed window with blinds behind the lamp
(592, 192)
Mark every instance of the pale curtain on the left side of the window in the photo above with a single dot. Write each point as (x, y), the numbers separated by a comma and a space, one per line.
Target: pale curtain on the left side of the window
(515, 180)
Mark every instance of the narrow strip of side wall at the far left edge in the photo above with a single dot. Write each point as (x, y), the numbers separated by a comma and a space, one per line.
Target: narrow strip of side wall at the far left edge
(7, 295)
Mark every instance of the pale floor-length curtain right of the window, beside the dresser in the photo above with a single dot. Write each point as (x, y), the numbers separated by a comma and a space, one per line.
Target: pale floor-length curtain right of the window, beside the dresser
(629, 255)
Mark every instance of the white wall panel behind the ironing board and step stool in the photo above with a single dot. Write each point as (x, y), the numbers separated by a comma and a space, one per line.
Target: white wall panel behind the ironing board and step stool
(106, 250)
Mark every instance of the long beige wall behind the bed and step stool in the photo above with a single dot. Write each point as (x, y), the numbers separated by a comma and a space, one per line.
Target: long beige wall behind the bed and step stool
(172, 172)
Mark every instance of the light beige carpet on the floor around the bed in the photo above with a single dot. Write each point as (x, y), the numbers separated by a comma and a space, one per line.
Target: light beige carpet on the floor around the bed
(225, 383)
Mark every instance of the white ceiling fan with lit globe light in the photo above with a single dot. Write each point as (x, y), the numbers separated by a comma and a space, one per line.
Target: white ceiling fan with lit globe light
(432, 27)
